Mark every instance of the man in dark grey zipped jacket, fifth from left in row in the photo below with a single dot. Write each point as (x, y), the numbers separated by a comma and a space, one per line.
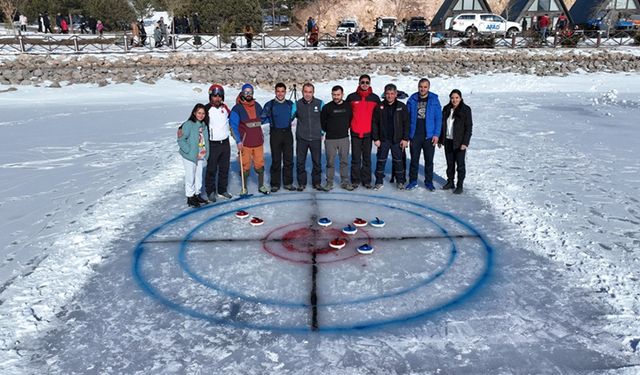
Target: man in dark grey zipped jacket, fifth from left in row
(309, 137)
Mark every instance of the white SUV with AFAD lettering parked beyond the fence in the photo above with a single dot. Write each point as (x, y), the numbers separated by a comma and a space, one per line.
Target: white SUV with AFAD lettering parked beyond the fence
(484, 23)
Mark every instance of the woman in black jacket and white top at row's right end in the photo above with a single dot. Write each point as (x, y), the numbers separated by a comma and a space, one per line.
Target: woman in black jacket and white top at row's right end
(455, 135)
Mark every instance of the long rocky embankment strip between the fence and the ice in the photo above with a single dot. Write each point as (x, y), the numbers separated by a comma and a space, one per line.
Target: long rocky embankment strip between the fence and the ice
(267, 68)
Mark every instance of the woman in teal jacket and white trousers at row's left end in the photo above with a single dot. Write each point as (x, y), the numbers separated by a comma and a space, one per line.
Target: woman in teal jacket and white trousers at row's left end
(194, 150)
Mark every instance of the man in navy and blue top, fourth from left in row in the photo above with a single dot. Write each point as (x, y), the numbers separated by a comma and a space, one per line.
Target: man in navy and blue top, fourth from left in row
(278, 113)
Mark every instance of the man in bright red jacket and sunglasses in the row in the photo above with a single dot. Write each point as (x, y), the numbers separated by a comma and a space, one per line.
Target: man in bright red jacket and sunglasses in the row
(363, 102)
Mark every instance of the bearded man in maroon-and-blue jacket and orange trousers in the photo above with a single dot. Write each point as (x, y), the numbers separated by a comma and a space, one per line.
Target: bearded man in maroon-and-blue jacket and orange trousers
(247, 131)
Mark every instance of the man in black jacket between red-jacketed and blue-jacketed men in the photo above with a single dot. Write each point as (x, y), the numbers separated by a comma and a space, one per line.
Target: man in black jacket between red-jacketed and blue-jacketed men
(390, 132)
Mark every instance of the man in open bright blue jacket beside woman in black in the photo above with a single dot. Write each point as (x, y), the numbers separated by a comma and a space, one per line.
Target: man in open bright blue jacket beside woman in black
(425, 114)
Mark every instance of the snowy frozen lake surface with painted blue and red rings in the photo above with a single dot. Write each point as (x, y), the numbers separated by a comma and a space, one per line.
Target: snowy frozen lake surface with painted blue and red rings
(534, 269)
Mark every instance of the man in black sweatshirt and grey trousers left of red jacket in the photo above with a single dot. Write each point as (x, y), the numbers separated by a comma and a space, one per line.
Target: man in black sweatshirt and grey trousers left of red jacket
(336, 119)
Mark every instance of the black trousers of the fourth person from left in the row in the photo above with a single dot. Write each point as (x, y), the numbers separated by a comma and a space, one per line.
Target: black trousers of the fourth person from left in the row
(281, 142)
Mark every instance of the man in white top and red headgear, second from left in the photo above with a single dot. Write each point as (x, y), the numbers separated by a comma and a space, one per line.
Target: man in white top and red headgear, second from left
(217, 175)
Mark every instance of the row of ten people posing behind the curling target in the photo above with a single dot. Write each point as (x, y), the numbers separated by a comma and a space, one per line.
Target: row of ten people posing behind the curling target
(350, 127)
